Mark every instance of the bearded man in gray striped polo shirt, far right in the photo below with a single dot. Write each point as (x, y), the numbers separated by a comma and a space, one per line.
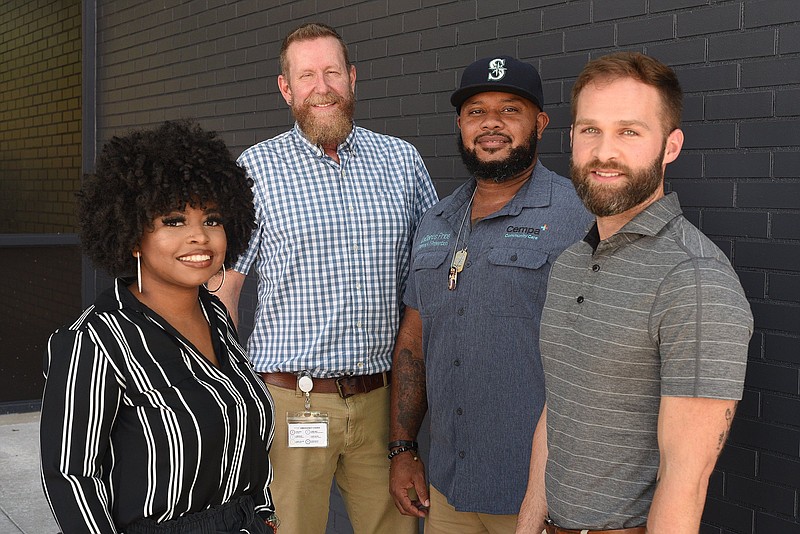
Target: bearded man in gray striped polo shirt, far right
(645, 329)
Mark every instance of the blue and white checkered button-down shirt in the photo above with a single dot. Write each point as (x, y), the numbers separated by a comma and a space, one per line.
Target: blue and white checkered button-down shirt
(332, 250)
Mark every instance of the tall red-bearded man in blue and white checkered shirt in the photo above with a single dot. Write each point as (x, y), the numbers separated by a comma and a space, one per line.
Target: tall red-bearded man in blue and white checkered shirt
(337, 207)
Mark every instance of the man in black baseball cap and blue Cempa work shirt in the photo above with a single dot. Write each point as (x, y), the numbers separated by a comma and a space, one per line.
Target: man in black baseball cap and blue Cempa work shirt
(468, 345)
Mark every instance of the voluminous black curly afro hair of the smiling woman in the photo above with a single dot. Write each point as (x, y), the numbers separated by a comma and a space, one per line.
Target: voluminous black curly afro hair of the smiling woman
(151, 172)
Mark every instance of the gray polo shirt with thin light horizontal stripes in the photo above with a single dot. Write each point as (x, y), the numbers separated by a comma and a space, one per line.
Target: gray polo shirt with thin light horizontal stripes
(656, 309)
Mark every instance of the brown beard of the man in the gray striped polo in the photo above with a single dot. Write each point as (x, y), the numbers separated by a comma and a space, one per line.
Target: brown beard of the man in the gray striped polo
(605, 201)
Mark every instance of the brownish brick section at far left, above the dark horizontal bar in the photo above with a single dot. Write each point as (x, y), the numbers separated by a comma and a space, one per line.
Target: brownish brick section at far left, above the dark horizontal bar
(40, 115)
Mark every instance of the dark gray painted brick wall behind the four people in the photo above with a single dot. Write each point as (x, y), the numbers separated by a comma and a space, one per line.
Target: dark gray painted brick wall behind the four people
(738, 178)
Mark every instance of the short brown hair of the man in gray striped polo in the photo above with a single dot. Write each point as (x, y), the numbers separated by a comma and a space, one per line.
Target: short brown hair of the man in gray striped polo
(639, 67)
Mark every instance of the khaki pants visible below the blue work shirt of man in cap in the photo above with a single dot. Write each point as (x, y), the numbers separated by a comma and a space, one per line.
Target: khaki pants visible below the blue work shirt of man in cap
(444, 519)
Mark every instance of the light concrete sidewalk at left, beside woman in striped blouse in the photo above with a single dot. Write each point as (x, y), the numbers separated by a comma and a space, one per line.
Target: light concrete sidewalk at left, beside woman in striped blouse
(23, 508)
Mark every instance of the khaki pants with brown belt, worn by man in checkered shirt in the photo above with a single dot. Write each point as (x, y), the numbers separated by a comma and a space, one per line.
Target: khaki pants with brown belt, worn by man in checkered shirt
(358, 432)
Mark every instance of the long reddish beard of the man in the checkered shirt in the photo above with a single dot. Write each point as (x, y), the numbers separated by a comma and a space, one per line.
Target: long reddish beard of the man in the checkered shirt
(331, 132)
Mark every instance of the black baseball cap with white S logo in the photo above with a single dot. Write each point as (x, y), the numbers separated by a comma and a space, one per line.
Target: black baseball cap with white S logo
(499, 73)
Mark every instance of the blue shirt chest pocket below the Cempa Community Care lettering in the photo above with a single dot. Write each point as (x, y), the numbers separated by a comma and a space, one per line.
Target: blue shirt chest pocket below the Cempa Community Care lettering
(519, 277)
